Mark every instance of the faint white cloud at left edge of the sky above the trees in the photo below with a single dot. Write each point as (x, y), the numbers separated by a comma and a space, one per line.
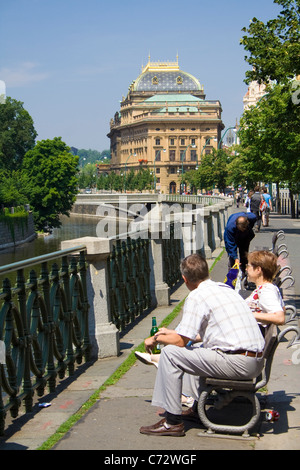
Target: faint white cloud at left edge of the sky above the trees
(22, 75)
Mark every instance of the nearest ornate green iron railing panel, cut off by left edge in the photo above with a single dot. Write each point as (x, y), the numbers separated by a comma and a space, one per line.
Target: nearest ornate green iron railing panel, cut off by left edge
(44, 326)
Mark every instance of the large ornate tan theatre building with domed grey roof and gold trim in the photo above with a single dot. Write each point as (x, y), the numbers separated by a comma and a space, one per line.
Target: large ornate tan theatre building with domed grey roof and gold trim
(164, 124)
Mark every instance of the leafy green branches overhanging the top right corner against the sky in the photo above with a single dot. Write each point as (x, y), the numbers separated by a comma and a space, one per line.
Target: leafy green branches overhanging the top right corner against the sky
(274, 47)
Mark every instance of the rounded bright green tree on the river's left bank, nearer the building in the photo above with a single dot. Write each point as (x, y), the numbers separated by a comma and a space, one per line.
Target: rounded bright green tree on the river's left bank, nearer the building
(52, 170)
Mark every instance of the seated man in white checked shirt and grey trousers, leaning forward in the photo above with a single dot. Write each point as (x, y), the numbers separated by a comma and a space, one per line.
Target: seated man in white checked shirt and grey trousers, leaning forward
(232, 343)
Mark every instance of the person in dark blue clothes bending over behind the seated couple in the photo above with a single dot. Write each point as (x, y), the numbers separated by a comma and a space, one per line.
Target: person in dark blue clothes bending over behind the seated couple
(237, 237)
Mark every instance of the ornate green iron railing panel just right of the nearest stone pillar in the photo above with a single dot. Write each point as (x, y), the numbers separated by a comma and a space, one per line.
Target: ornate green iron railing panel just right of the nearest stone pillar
(129, 280)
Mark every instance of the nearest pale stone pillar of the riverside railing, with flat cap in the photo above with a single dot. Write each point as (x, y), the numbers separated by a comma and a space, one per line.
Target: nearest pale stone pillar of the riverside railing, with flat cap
(104, 335)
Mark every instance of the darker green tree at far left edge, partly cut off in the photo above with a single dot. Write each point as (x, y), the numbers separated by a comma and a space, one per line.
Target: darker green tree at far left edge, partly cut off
(17, 134)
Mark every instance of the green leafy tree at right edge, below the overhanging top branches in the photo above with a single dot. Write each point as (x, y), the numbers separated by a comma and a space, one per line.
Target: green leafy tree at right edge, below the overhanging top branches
(270, 139)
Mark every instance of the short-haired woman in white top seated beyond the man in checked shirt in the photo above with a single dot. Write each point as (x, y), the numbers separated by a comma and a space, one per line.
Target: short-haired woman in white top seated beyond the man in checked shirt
(265, 301)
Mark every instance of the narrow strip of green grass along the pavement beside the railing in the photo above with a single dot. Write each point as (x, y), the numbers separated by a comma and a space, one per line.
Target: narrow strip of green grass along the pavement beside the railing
(113, 379)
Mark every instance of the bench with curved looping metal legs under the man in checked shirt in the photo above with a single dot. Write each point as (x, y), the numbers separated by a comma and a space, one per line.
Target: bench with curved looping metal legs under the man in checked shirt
(228, 390)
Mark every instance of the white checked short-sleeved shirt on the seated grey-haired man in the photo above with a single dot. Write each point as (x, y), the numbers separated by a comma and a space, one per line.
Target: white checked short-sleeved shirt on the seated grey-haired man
(221, 317)
